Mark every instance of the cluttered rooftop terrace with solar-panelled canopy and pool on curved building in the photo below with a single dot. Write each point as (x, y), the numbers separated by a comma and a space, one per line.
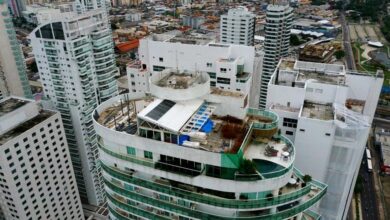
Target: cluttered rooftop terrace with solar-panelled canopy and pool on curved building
(192, 124)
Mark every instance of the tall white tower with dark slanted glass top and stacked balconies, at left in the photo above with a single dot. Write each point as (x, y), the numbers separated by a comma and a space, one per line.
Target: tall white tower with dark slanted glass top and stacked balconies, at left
(75, 56)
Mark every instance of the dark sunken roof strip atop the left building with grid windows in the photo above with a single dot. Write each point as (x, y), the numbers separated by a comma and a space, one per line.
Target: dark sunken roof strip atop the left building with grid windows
(25, 126)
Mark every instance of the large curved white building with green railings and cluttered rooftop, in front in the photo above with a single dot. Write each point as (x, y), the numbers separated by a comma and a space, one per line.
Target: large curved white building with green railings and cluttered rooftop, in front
(188, 151)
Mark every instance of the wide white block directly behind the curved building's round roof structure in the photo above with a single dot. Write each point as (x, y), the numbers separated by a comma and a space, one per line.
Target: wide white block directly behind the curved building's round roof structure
(230, 67)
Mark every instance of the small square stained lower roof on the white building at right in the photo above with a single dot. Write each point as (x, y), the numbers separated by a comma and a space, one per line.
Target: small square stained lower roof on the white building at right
(317, 111)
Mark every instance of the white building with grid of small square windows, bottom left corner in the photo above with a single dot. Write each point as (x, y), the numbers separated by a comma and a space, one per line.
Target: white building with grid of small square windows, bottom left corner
(36, 174)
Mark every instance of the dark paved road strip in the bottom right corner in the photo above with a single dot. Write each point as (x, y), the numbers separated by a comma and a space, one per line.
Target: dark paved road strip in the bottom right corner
(367, 197)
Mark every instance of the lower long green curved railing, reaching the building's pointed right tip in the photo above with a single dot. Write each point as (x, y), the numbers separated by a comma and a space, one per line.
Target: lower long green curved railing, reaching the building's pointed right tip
(172, 207)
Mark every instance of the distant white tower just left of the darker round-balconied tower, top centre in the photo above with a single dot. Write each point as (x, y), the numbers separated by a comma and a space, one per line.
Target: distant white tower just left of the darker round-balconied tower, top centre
(238, 27)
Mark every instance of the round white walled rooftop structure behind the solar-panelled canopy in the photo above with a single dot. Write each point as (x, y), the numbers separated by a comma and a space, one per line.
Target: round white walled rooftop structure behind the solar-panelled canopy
(171, 85)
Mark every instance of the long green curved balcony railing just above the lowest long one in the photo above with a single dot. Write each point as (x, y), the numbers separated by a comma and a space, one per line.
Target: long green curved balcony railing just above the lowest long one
(203, 198)
